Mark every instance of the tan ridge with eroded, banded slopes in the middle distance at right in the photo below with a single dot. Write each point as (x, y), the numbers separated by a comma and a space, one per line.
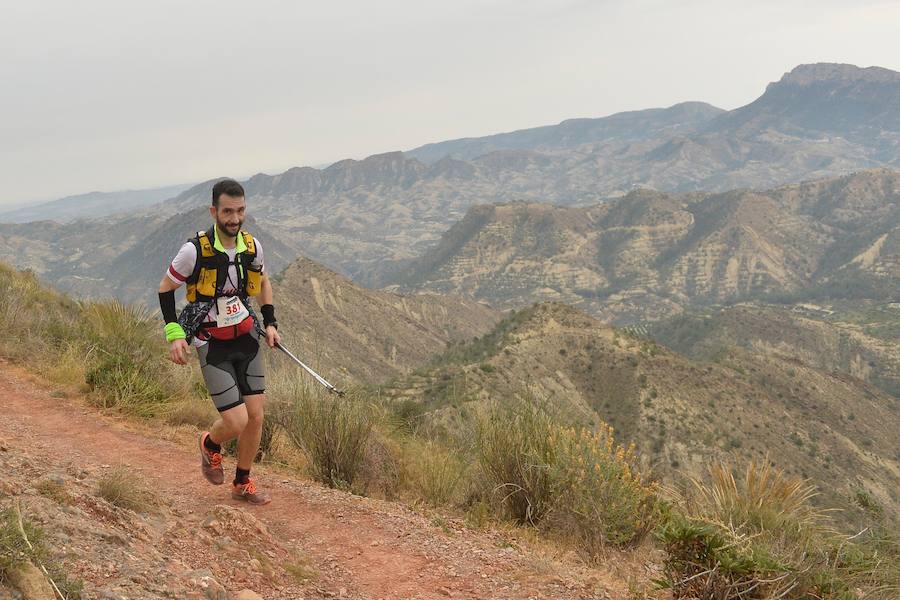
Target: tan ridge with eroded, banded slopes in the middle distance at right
(649, 255)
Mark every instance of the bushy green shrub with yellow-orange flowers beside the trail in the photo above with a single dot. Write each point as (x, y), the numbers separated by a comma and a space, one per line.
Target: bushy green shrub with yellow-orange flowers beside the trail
(567, 480)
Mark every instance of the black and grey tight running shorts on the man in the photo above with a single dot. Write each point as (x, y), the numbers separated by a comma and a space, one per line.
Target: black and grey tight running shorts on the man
(232, 369)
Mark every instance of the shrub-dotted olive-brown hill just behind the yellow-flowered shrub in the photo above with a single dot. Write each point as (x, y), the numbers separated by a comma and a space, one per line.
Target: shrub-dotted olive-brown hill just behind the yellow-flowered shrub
(833, 428)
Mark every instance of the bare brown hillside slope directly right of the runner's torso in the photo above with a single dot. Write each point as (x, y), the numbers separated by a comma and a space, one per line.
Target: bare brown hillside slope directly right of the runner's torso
(366, 336)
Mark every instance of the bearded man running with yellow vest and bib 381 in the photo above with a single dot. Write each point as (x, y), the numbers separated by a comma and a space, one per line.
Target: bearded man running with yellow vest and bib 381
(222, 268)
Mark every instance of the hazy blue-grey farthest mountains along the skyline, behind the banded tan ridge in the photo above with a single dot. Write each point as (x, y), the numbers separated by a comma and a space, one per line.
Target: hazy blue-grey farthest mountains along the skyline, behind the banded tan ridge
(360, 216)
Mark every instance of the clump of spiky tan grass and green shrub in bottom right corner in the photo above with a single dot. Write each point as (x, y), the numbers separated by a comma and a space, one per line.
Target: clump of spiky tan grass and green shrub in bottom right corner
(759, 536)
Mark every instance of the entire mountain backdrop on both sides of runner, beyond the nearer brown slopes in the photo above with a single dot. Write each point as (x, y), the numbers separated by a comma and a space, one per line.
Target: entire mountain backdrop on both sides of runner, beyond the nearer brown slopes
(393, 219)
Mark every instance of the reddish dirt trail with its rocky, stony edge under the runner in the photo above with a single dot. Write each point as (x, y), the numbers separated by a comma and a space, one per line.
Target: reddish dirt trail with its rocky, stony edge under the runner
(193, 541)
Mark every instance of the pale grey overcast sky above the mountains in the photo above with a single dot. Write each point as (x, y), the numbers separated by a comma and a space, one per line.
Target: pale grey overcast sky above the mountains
(112, 94)
